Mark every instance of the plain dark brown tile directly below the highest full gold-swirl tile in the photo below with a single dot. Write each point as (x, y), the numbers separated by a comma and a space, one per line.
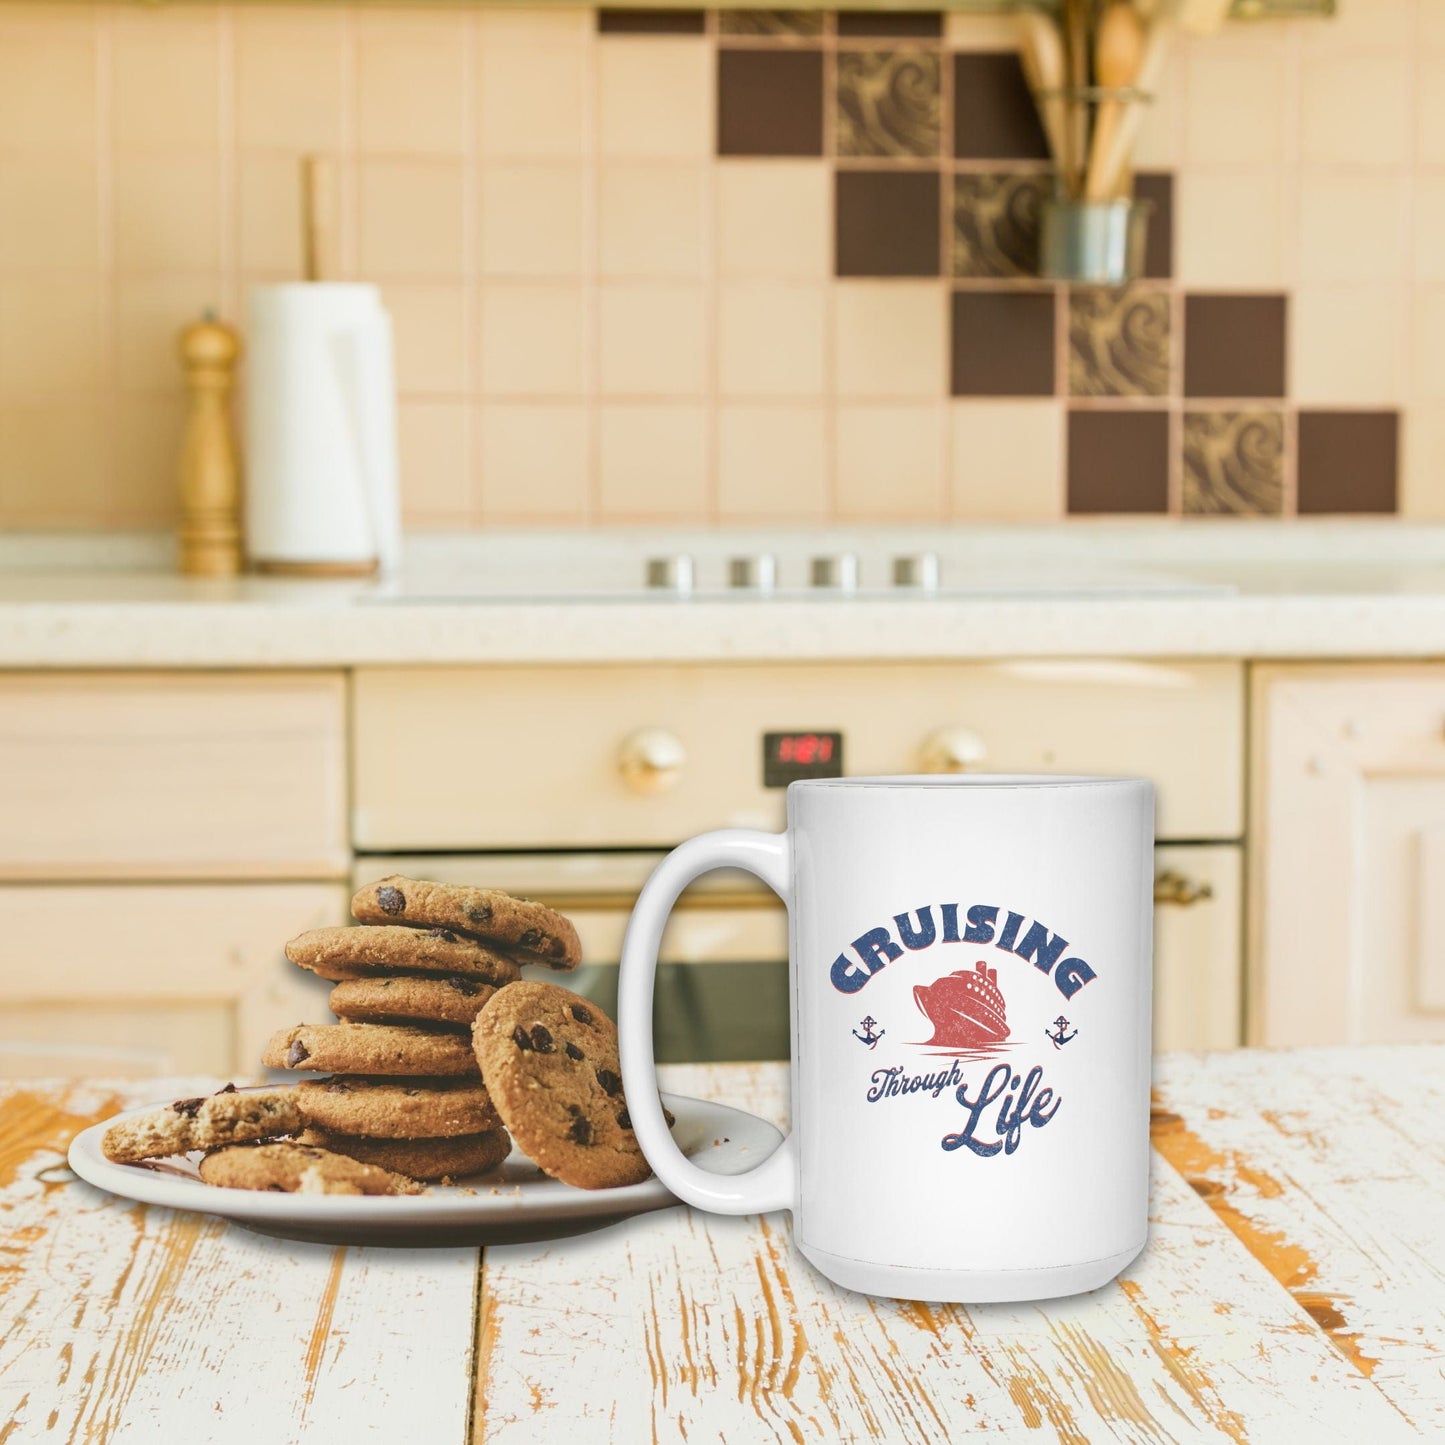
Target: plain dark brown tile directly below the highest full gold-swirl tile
(888, 223)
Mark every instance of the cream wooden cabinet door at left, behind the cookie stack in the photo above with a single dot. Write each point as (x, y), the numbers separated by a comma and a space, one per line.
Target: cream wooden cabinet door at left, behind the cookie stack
(145, 979)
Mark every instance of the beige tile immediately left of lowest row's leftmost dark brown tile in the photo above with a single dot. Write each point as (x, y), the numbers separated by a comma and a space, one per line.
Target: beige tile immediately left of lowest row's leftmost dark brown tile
(1008, 460)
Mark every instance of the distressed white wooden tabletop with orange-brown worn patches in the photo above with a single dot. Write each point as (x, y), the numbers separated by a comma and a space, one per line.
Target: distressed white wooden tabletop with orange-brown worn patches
(1294, 1290)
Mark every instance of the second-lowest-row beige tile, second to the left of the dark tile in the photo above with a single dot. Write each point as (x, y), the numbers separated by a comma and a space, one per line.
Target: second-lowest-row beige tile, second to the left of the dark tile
(772, 339)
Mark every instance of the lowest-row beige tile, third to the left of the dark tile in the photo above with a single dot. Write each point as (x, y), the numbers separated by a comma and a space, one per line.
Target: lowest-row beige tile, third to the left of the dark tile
(772, 465)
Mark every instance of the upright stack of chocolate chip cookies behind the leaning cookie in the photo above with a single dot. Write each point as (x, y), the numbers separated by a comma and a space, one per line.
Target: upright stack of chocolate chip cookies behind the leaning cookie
(411, 976)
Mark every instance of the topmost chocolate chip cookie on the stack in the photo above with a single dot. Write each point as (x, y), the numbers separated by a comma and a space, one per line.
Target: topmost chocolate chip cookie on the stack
(532, 931)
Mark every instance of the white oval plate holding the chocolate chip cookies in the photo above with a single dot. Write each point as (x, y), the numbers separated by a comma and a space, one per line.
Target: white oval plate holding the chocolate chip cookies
(514, 1203)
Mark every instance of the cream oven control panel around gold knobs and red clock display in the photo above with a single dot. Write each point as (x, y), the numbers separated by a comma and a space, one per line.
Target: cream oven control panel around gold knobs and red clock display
(514, 758)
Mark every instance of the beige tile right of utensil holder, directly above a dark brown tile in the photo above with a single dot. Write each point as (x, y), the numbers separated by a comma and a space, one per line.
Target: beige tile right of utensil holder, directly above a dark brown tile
(1230, 229)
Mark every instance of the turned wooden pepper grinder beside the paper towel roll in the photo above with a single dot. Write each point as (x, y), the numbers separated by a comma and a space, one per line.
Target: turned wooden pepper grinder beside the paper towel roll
(210, 531)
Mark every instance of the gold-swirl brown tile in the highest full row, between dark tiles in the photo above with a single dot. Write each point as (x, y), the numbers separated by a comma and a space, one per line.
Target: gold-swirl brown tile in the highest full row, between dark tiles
(889, 103)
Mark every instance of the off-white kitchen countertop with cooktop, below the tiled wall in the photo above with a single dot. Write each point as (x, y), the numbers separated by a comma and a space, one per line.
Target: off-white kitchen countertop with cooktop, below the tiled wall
(1194, 590)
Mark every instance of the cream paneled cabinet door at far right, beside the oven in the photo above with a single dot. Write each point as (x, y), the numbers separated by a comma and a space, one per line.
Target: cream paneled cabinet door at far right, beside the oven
(1349, 859)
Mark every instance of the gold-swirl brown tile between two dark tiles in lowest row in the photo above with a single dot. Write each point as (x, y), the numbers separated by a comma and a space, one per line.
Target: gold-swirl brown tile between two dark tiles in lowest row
(1233, 463)
